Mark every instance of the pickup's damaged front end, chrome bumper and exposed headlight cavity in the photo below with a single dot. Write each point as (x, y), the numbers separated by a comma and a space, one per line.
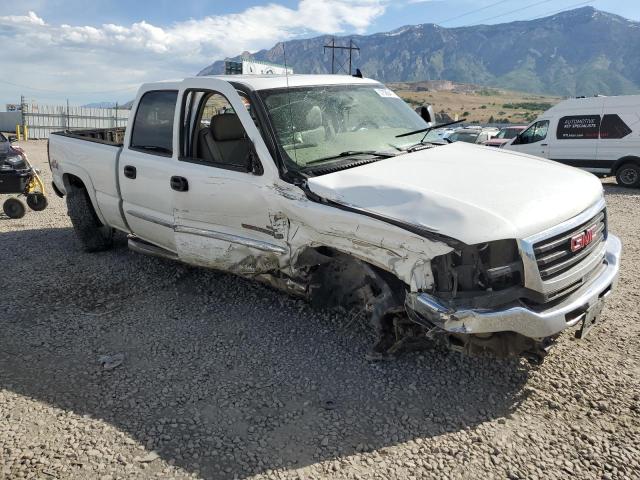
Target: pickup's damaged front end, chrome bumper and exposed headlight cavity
(480, 305)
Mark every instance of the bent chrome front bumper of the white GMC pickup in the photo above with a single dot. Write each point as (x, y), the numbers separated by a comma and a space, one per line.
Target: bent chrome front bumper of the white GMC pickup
(517, 317)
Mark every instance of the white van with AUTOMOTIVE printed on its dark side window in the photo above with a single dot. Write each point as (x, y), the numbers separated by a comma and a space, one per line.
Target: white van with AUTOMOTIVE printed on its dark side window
(598, 134)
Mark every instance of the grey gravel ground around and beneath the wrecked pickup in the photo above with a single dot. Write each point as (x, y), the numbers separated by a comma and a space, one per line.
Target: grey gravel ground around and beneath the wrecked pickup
(225, 378)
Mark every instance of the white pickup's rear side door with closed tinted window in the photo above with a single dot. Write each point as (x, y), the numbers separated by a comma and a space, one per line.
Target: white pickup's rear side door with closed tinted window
(145, 167)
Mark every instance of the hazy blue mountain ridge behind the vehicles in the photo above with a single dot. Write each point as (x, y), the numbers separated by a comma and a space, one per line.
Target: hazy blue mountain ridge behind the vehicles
(579, 52)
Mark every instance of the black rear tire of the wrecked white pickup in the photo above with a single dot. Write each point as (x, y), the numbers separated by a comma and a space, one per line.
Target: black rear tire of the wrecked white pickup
(93, 235)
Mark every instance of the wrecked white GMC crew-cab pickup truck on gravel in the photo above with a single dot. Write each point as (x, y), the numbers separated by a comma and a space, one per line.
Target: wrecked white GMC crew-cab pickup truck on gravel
(311, 184)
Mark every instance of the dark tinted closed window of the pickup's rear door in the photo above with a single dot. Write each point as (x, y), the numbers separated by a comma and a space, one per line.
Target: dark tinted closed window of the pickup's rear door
(153, 125)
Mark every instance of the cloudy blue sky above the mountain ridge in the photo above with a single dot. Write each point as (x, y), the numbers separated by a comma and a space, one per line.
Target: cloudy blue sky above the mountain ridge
(84, 51)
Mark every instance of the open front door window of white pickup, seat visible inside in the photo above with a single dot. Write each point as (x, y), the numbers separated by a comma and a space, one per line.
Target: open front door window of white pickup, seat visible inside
(216, 134)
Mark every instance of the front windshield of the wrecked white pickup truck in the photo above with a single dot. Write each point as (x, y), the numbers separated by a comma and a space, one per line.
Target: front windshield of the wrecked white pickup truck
(326, 123)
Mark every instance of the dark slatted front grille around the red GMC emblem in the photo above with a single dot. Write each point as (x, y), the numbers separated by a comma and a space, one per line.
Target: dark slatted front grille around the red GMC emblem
(554, 255)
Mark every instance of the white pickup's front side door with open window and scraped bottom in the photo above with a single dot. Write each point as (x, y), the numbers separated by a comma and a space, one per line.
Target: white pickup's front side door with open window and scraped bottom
(227, 216)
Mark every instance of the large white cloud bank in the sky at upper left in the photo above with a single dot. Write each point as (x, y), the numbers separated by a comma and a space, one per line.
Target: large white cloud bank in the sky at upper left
(68, 58)
